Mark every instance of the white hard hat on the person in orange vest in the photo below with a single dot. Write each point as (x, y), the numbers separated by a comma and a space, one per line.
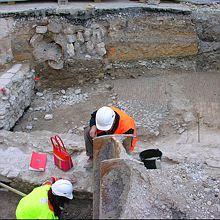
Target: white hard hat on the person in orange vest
(105, 117)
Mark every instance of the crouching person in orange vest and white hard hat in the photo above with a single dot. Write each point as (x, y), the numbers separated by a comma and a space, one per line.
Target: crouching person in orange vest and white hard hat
(106, 121)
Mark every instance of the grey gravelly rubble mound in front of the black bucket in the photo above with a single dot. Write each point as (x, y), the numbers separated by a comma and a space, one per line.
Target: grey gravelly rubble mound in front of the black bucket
(139, 193)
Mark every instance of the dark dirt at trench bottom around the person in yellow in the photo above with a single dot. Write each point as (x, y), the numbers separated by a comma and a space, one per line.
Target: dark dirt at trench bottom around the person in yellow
(77, 209)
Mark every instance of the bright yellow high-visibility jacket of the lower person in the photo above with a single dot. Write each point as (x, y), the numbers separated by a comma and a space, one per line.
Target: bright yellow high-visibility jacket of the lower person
(35, 205)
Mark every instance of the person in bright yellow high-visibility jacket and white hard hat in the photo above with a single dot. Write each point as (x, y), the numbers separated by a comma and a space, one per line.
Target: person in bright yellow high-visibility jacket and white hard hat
(46, 201)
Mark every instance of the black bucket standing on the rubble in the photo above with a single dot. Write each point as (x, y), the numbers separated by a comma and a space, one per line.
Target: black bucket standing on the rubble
(150, 158)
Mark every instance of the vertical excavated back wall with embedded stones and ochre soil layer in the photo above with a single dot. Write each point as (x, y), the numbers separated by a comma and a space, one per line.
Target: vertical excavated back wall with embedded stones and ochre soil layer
(116, 42)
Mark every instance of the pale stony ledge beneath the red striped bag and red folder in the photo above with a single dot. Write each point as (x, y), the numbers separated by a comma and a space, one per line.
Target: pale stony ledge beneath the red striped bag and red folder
(16, 148)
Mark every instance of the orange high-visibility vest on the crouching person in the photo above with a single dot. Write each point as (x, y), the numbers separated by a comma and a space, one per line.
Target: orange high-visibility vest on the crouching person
(125, 123)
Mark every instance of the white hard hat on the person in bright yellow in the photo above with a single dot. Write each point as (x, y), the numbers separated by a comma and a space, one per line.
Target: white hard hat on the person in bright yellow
(63, 188)
